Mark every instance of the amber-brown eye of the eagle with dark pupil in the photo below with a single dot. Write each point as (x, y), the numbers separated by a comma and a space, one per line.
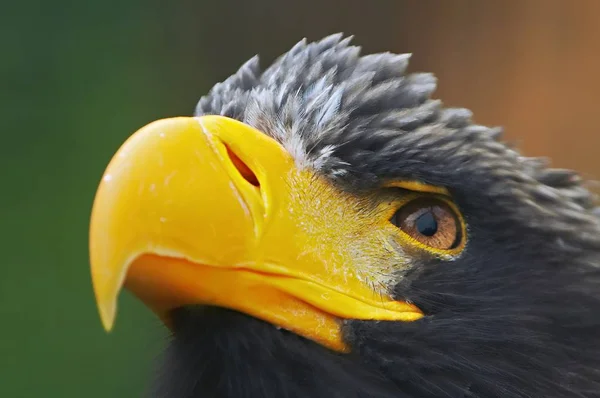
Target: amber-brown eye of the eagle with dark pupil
(430, 221)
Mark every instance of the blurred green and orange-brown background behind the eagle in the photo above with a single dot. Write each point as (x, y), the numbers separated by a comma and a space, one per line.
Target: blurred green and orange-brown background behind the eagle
(79, 77)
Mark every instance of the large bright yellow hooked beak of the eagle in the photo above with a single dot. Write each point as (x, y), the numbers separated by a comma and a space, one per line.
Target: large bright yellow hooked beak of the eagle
(208, 210)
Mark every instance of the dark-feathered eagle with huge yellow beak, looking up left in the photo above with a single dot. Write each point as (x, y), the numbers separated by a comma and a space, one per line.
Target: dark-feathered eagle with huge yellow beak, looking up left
(325, 228)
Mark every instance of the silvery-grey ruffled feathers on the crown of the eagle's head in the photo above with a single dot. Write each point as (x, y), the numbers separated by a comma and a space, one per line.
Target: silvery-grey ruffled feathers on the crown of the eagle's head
(346, 114)
